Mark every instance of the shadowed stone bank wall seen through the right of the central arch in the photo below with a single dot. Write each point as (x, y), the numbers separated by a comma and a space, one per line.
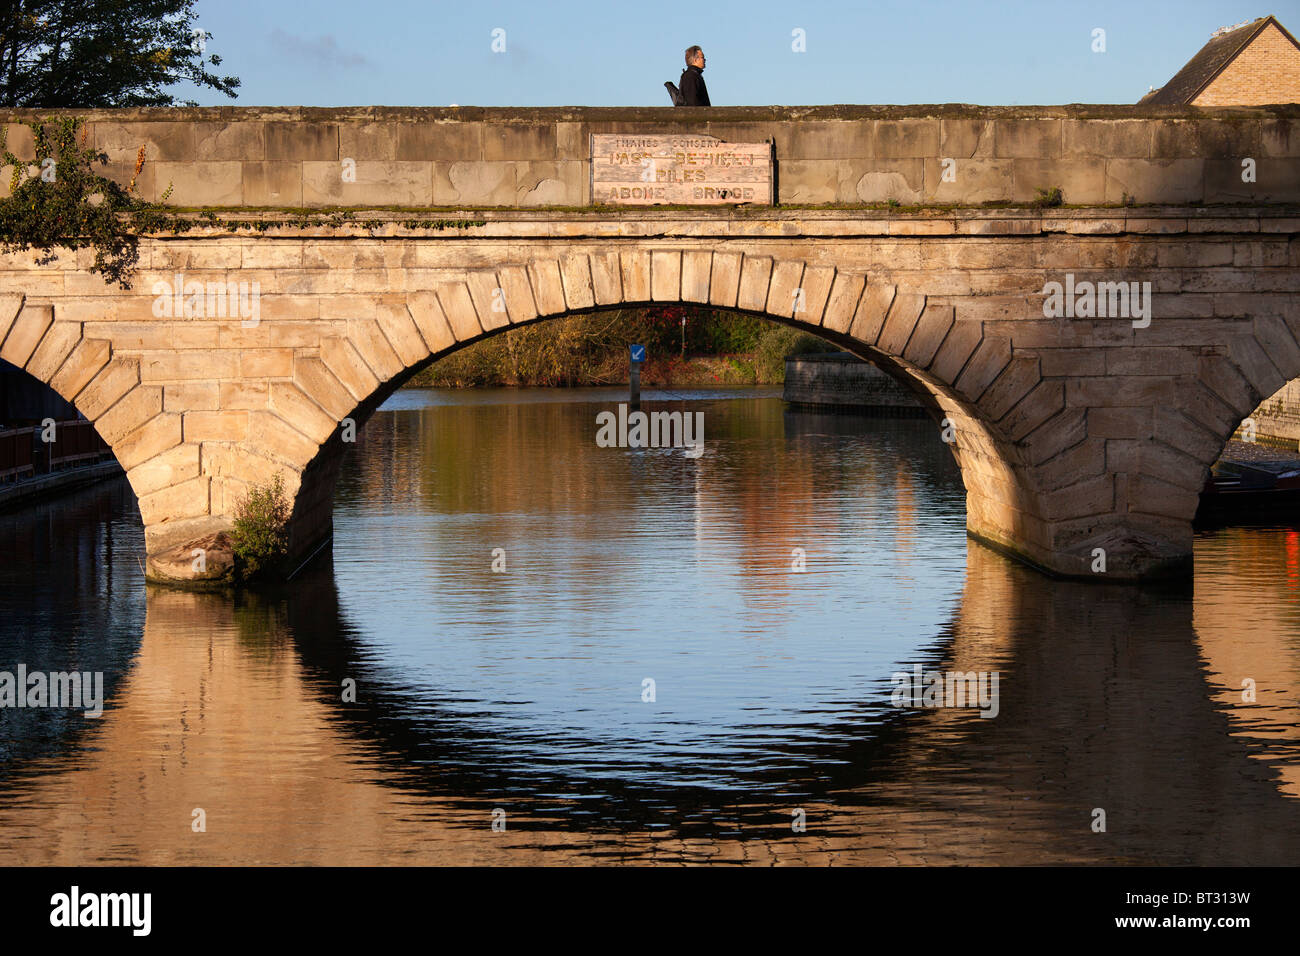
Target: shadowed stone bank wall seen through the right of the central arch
(840, 380)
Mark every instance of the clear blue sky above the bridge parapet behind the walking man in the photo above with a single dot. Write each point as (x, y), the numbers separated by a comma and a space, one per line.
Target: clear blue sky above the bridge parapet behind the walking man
(404, 53)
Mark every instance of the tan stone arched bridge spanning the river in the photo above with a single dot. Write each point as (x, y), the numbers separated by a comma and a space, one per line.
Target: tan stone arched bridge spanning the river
(1074, 431)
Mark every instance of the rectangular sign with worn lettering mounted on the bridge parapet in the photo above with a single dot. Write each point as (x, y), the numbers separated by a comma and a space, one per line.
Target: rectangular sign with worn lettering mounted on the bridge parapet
(679, 168)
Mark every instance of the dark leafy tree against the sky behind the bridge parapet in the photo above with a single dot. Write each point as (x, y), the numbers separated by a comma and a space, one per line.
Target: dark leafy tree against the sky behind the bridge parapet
(97, 54)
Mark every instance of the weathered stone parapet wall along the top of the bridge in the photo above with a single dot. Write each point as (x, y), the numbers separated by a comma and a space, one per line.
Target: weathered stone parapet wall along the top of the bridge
(471, 157)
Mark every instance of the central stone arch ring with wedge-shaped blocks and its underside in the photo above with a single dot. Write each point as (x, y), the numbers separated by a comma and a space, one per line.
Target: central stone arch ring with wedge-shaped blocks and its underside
(994, 401)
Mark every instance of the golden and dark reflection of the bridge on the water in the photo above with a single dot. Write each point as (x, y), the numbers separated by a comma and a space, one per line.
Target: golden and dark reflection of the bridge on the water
(1104, 703)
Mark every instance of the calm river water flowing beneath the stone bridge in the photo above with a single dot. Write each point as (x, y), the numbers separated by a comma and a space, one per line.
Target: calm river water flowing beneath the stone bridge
(527, 648)
